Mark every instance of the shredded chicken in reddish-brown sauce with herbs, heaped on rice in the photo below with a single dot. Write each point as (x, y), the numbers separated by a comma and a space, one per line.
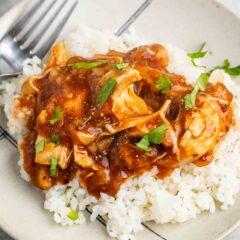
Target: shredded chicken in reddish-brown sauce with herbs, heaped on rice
(111, 117)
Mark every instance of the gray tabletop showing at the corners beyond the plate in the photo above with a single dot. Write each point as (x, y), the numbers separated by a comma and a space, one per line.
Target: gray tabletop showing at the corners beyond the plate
(233, 5)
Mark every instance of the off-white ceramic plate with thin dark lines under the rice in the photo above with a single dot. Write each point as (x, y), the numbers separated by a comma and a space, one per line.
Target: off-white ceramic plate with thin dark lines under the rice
(186, 24)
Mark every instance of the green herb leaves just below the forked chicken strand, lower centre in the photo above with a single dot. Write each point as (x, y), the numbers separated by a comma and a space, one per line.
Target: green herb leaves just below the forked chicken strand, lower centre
(155, 136)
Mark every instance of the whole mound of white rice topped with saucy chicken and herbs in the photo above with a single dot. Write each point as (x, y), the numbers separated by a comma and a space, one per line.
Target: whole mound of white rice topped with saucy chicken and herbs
(135, 132)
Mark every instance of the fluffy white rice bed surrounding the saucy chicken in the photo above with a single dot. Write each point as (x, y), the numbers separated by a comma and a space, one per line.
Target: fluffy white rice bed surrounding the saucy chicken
(188, 192)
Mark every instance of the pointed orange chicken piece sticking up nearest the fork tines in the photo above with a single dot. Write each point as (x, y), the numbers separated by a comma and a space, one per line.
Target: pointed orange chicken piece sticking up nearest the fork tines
(59, 55)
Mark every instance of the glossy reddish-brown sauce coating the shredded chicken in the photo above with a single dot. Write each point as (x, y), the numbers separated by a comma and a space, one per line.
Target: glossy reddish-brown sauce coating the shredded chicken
(116, 157)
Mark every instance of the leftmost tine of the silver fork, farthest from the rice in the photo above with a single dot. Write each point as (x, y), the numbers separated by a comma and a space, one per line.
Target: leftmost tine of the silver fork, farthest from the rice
(23, 21)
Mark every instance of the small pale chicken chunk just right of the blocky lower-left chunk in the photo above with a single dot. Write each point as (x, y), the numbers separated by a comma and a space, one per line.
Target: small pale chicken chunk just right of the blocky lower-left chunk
(82, 158)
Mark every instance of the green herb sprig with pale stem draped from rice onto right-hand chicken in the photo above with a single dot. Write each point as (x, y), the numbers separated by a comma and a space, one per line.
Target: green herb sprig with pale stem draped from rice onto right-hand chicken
(201, 84)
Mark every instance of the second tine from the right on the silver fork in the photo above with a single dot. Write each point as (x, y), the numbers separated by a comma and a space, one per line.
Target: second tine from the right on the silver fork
(36, 40)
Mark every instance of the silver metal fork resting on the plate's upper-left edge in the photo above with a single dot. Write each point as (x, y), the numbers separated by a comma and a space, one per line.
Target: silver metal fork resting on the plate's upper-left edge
(12, 46)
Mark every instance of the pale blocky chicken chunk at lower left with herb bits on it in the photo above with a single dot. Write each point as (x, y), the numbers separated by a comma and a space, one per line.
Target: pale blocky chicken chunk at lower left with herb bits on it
(50, 150)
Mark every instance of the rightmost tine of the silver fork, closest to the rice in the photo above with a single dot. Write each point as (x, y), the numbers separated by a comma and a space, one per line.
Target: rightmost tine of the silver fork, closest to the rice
(43, 50)
